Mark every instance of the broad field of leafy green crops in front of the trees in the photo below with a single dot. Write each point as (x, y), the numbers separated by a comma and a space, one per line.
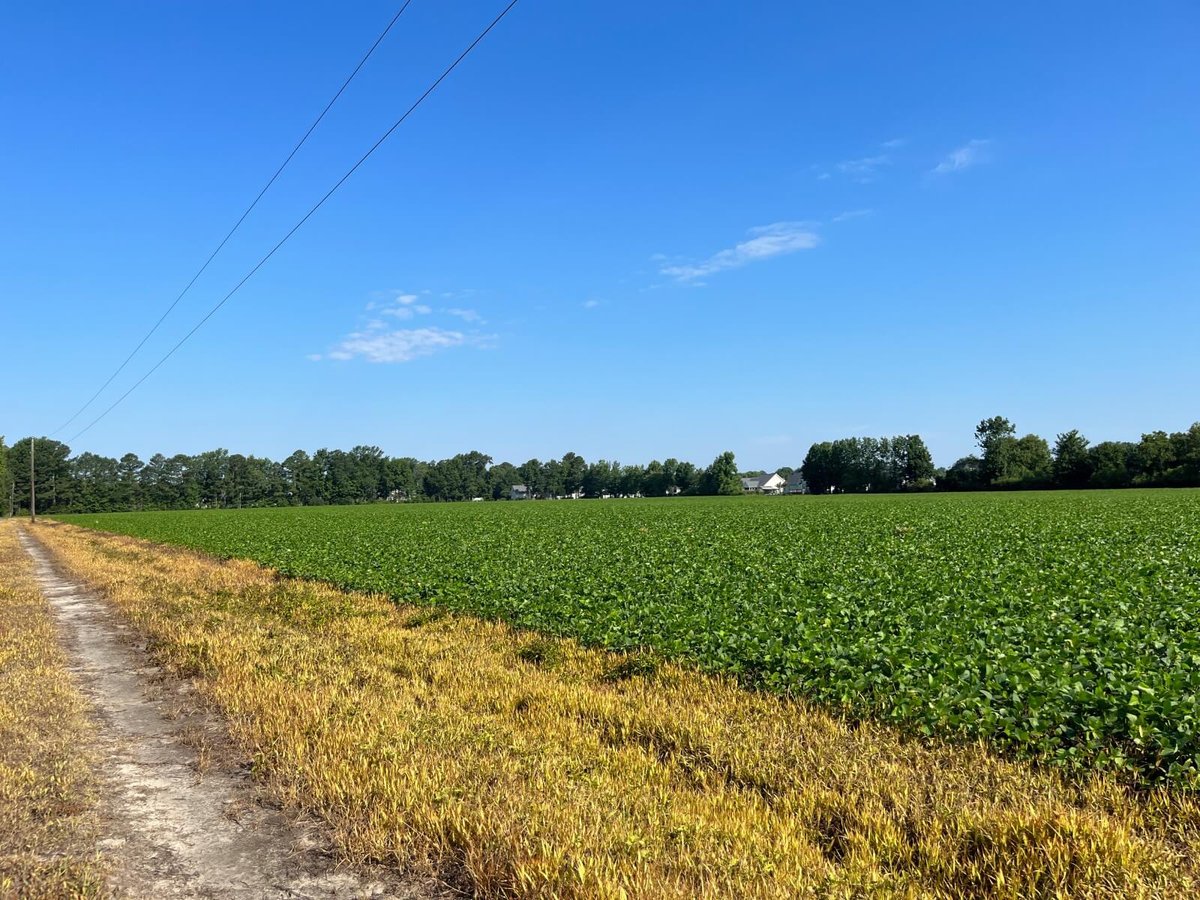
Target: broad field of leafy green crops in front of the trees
(1060, 626)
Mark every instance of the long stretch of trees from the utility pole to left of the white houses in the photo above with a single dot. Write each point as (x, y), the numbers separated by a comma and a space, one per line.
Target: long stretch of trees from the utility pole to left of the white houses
(89, 483)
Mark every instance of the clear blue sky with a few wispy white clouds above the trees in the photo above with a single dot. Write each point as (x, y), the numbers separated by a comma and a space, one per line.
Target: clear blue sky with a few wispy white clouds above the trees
(626, 230)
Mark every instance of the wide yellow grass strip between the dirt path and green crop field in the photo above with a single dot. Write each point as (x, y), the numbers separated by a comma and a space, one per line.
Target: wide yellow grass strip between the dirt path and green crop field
(532, 769)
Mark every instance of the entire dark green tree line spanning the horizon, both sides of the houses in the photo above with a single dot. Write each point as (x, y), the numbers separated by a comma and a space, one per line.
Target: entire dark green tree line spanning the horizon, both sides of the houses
(89, 483)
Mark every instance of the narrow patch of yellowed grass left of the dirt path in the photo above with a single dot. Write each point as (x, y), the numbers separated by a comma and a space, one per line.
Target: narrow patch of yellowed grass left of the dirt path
(47, 795)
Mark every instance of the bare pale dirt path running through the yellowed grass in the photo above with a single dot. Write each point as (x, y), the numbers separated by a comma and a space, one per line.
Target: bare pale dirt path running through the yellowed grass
(172, 832)
